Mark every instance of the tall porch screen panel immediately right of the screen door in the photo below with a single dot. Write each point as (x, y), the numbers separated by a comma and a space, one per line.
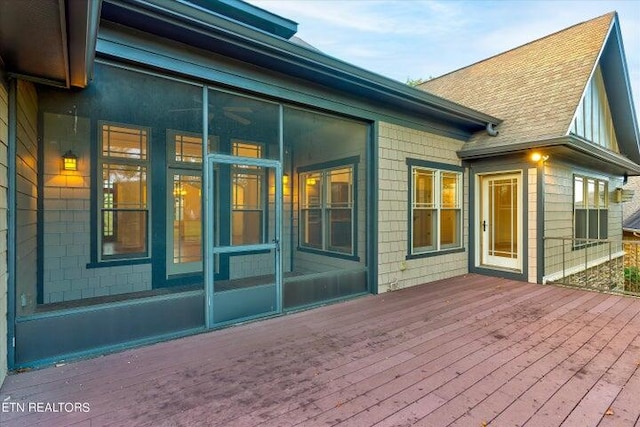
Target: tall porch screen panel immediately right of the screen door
(325, 205)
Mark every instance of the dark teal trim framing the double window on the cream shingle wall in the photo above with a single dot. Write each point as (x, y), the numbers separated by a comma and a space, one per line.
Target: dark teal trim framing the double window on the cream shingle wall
(420, 163)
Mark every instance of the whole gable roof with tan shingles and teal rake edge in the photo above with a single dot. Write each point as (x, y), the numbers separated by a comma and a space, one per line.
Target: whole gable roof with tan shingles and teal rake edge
(536, 89)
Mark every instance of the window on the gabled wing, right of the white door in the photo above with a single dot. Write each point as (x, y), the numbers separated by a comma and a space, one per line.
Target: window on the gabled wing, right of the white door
(590, 208)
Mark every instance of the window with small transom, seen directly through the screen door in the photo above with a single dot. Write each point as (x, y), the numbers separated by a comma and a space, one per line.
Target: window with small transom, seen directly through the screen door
(247, 197)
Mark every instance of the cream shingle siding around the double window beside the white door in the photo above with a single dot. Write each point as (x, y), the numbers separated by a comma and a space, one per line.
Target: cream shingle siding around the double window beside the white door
(396, 144)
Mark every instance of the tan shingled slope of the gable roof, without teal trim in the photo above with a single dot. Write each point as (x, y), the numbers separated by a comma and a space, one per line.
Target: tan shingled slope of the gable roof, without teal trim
(535, 88)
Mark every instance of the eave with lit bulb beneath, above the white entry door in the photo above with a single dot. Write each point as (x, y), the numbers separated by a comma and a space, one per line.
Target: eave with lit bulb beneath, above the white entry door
(569, 148)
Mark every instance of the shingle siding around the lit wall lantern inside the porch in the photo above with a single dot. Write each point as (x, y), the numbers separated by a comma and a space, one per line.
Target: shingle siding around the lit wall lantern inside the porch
(67, 223)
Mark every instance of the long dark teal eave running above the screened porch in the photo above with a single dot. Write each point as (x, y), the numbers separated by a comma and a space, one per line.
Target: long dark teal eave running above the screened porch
(208, 31)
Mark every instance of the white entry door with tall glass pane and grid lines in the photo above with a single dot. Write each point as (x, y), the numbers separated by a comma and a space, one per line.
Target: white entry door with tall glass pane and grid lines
(501, 221)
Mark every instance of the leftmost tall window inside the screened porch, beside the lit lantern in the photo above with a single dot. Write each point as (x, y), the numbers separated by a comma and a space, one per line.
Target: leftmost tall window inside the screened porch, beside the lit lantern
(123, 205)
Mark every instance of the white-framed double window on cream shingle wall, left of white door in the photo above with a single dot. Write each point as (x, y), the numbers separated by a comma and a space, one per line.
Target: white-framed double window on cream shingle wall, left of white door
(436, 208)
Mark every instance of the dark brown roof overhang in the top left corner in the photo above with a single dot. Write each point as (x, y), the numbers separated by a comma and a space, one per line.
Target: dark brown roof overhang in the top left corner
(49, 41)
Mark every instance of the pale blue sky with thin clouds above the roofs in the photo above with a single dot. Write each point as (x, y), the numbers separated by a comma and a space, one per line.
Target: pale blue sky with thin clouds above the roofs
(419, 39)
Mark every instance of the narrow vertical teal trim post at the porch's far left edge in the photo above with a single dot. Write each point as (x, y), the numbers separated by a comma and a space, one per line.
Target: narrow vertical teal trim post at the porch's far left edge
(12, 223)
